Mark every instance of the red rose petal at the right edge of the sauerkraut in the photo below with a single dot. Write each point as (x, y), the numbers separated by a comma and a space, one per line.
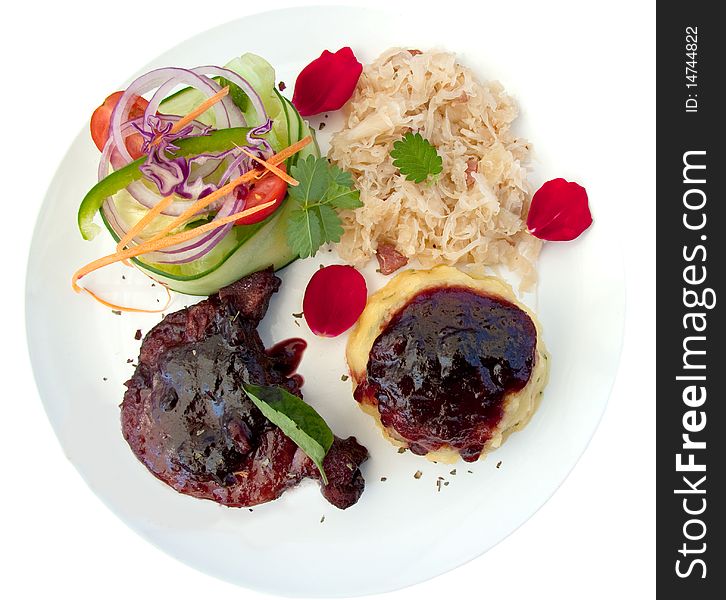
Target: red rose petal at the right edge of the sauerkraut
(559, 211)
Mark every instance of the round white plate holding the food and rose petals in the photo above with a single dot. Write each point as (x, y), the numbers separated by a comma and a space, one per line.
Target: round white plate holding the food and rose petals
(402, 530)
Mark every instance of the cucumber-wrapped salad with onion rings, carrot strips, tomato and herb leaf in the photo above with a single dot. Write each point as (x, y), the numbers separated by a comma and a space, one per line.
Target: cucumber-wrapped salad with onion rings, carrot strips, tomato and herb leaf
(194, 175)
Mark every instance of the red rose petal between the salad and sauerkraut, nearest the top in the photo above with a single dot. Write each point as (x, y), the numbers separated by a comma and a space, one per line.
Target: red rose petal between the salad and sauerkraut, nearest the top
(327, 83)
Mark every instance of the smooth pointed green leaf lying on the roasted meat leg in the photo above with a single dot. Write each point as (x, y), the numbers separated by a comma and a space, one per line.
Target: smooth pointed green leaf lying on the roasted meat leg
(298, 420)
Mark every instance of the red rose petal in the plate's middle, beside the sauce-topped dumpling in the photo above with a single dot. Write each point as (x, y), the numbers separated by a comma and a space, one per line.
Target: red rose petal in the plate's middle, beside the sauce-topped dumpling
(334, 299)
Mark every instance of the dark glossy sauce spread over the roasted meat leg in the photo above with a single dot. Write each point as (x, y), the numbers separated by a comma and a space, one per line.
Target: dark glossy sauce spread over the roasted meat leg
(210, 424)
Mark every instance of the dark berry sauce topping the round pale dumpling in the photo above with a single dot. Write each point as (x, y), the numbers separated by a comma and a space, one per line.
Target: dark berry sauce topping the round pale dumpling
(441, 368)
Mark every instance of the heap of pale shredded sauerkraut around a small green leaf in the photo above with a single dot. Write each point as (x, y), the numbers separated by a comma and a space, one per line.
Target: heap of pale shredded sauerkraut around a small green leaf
(474, 211)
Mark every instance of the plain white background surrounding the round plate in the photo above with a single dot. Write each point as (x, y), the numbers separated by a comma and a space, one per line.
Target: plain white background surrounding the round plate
(595, 538)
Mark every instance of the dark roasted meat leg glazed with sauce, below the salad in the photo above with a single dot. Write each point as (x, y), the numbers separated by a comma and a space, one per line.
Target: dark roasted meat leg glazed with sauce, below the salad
(187, 418)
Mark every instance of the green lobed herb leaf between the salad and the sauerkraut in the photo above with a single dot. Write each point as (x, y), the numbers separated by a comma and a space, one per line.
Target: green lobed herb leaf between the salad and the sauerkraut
(323, 190)
